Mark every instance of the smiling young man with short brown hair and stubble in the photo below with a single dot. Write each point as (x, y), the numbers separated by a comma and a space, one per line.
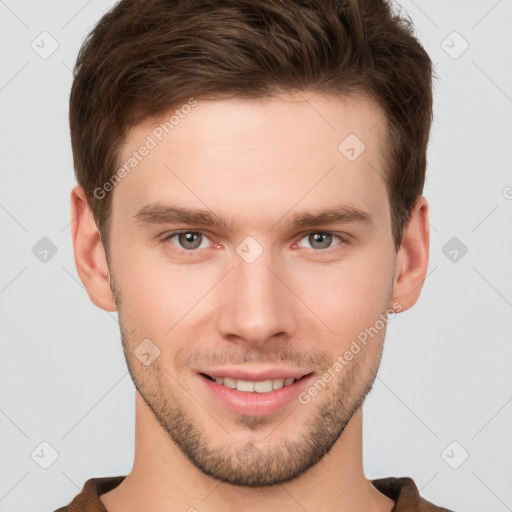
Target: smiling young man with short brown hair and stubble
(249, 200)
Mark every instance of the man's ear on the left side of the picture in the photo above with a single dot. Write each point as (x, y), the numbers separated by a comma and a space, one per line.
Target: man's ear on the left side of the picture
(90, 259)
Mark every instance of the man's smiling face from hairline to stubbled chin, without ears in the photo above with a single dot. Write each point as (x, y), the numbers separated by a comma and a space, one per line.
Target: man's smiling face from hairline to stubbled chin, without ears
(268, 294)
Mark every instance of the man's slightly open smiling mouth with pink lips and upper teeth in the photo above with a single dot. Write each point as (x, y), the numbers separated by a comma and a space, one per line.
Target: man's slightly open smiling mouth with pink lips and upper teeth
(256, 397)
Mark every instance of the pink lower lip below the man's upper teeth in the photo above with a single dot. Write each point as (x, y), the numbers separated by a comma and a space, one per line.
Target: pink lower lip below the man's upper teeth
(255, 404)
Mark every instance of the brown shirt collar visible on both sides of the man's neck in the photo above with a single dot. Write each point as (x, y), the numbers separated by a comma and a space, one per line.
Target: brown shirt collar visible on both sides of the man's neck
(402, 490)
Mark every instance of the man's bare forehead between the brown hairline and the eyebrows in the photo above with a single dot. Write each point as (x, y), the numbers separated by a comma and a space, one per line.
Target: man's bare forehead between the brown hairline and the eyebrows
(264, 156)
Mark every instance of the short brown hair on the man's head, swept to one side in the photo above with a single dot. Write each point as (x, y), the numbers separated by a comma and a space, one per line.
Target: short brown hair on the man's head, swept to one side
(146, 56)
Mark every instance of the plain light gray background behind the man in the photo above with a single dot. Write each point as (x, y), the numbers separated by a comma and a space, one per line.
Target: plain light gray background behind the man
(444, 390)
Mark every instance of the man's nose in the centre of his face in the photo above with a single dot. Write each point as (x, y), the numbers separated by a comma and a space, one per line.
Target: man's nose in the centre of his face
(256, 304)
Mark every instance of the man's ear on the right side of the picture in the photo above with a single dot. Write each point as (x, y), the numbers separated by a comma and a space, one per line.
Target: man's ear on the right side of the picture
(412, 258)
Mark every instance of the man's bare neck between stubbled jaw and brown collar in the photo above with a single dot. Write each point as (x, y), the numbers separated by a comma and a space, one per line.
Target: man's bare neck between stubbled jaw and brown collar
(163, 479)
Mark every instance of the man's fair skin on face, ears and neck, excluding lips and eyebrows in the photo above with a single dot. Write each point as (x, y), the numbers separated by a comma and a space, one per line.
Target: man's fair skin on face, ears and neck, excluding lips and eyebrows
(300, 302)
